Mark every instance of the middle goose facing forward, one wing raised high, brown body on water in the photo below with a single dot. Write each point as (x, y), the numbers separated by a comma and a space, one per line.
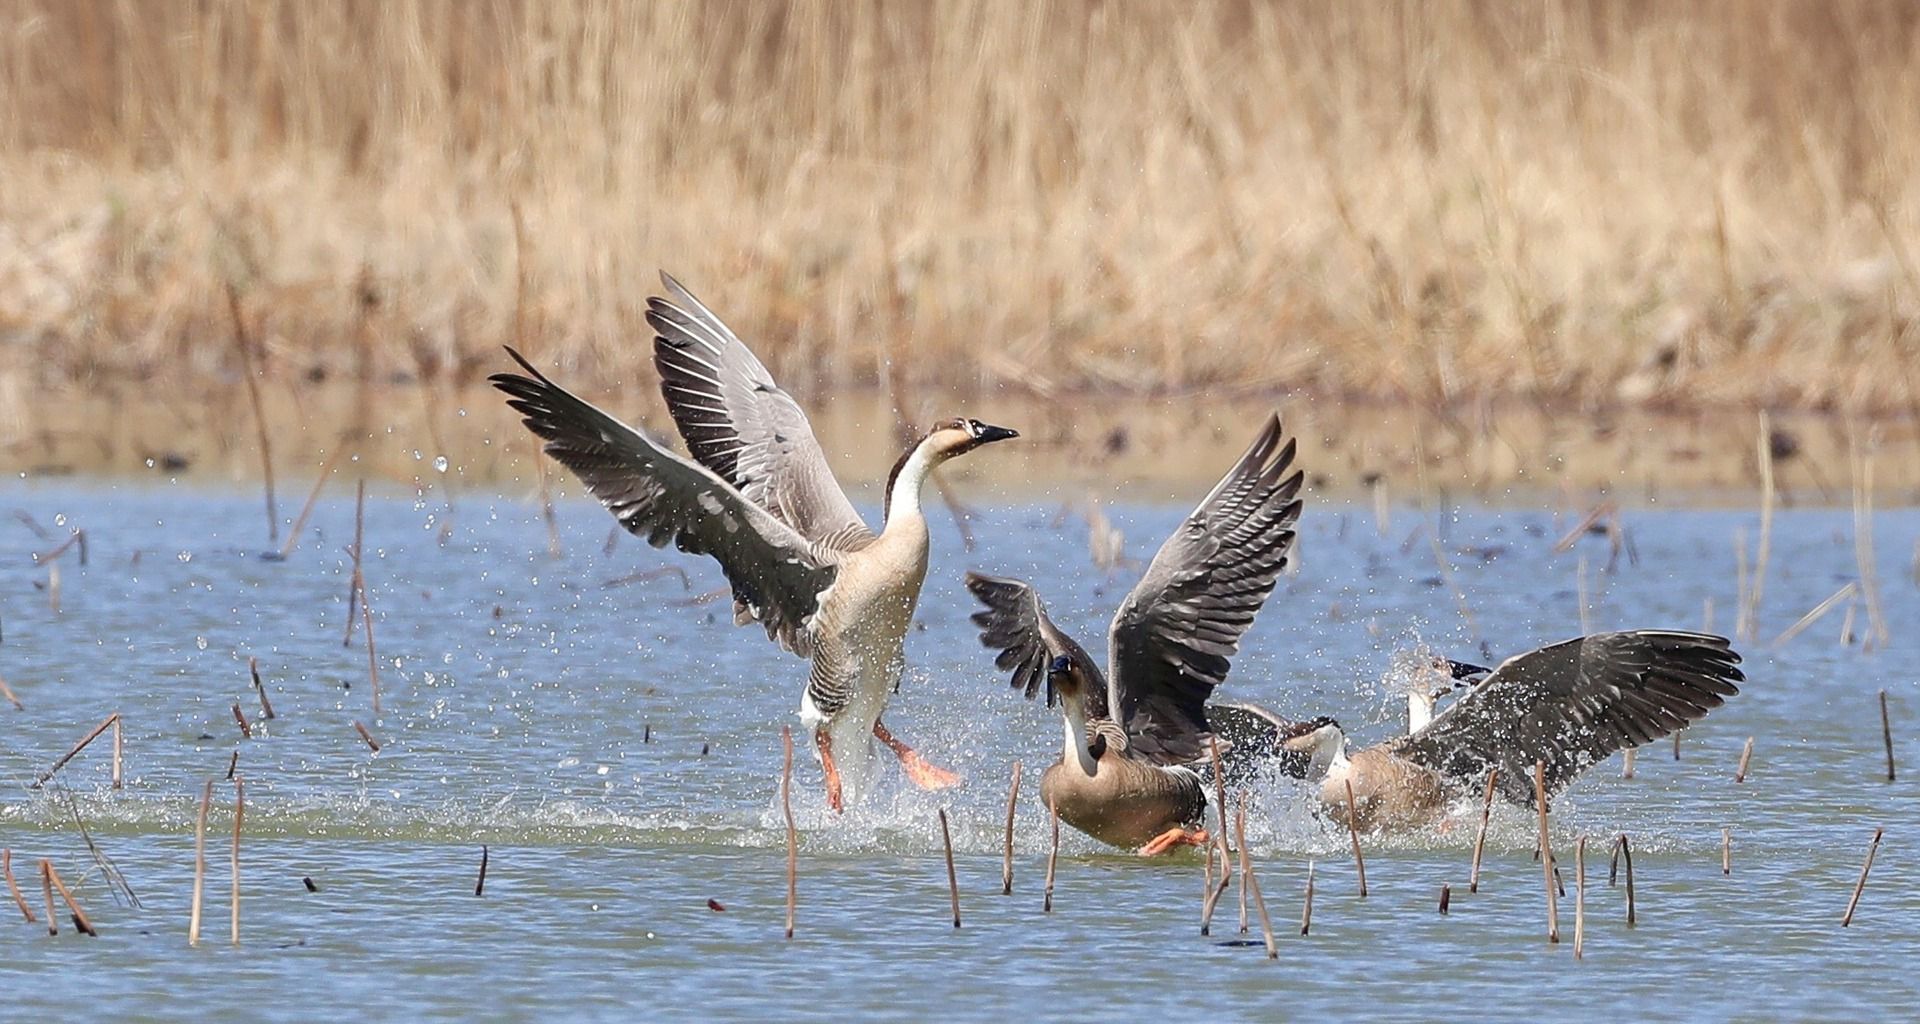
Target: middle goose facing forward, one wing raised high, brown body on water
(1126, 773)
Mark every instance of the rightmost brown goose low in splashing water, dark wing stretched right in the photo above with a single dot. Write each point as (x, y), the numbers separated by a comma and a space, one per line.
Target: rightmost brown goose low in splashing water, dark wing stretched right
(1566, 706)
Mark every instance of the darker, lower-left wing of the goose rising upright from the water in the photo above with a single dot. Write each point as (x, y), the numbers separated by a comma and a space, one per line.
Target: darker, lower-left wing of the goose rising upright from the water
(775, 572)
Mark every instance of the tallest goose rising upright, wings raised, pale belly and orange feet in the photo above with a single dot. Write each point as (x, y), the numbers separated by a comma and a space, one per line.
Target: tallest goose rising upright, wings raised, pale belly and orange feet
(761, 500)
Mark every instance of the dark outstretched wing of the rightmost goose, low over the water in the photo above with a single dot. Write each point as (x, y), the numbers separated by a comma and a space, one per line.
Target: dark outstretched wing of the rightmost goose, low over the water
(1573, 704)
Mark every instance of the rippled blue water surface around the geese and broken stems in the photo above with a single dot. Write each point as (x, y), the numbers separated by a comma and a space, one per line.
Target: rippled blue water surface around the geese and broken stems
(517, 693)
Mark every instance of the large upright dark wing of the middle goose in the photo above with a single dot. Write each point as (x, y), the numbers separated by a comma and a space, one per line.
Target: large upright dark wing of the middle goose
(1176, 631)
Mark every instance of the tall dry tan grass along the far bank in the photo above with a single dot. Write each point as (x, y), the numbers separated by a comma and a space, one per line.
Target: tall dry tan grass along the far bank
(1598, 201)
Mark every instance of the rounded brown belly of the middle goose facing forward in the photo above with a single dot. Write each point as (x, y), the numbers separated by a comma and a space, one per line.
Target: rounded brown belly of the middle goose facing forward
(1122, 804)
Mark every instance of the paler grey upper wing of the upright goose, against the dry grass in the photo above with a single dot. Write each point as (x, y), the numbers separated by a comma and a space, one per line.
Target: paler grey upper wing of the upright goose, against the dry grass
(744, 427)
